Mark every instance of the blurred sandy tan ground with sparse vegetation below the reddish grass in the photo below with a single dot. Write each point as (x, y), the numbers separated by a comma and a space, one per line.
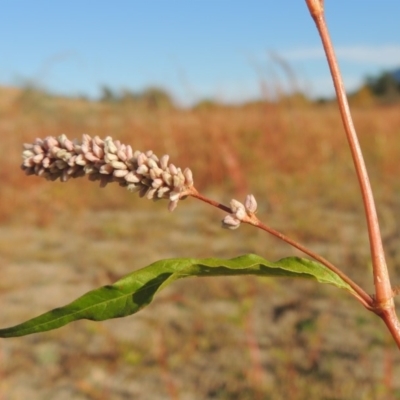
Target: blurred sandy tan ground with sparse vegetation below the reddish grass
(220, 338)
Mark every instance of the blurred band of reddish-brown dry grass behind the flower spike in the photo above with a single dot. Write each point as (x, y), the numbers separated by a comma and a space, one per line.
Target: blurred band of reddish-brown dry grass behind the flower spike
(271, 148)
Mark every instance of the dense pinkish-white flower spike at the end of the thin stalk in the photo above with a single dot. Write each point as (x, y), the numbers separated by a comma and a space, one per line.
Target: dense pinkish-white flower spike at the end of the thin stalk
(107, 161)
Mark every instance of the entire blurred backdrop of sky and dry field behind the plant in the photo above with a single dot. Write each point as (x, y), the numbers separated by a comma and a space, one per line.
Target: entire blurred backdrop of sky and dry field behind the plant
(240, 93)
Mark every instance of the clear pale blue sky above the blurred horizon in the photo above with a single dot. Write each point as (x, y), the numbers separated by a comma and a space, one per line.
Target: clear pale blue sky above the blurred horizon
(195, 49)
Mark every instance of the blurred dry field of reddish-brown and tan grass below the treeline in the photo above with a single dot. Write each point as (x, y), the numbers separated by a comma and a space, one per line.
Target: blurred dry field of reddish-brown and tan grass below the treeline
(223, 338)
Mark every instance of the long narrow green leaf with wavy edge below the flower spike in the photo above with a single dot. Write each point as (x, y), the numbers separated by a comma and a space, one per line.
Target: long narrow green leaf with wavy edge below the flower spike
(136, 290)
